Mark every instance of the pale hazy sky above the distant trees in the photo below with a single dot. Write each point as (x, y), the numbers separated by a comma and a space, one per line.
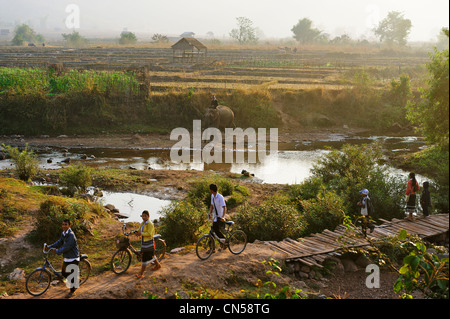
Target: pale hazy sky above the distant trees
(274, 18)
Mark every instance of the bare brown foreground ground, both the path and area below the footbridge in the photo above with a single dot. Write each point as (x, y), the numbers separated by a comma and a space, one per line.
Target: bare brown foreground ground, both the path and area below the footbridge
(184, 273)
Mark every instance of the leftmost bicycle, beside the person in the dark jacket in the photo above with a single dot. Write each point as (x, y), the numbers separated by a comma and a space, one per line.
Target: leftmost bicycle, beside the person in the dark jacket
(38, 281)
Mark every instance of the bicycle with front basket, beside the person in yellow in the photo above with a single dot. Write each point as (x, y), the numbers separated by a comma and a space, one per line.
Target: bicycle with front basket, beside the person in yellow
(121, 259)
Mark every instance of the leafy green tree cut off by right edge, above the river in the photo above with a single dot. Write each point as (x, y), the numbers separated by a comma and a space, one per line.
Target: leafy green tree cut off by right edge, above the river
(431, 113)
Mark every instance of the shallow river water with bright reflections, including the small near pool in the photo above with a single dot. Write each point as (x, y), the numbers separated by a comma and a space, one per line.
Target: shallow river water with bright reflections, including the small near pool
(290, 165)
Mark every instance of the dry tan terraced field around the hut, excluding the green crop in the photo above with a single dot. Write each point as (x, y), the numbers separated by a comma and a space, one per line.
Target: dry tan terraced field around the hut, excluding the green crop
(224, 68)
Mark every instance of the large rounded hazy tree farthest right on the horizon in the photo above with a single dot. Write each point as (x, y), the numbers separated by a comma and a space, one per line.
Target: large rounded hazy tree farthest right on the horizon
(394, 28)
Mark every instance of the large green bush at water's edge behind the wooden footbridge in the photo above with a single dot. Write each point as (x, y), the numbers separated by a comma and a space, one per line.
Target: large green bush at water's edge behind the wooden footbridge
(356, 167)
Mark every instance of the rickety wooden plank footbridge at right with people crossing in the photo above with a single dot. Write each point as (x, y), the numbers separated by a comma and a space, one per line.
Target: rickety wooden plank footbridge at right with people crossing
(314, 249)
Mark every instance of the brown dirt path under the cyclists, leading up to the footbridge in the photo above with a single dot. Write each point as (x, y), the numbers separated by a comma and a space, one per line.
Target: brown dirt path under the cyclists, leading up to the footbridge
(180, 272)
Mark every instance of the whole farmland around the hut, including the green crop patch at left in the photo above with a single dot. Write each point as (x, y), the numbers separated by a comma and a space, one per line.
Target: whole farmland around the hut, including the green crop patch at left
(108, 69)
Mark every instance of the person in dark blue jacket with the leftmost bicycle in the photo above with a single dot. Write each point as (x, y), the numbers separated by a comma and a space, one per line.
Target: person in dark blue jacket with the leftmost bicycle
(67, 246)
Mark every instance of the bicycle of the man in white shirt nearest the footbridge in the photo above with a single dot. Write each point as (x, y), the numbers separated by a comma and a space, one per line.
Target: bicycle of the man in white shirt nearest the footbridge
(235, 241)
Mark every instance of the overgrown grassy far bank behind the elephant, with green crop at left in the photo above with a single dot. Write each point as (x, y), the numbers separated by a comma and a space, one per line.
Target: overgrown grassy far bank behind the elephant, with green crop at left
(43, 101)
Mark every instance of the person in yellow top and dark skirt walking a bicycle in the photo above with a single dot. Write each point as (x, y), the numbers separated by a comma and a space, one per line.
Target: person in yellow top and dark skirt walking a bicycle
(147, 231)
